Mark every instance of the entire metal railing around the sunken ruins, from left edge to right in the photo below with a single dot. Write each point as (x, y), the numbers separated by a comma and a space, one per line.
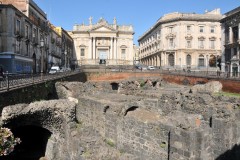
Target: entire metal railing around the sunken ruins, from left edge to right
(22, 80)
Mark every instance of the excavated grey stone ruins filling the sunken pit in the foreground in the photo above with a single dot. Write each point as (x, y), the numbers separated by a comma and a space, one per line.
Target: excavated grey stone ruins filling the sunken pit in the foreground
(136, 119)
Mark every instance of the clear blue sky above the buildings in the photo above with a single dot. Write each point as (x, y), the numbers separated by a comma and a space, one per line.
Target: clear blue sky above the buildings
(142, 14)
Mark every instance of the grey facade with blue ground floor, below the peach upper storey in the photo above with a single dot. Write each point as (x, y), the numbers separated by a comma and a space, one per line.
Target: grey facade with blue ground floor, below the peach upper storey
(20, 40)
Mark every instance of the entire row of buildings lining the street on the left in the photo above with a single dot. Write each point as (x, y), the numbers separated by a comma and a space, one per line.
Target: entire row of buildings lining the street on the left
(30, 43)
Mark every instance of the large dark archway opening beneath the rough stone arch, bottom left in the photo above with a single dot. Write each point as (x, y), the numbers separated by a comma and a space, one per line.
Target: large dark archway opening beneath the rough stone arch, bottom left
(33, 143)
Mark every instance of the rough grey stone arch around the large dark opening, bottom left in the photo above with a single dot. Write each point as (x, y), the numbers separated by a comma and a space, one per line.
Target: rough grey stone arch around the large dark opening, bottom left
(53, 116)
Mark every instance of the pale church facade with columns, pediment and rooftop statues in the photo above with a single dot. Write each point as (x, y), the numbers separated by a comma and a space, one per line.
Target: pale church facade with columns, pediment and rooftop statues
(103, 43)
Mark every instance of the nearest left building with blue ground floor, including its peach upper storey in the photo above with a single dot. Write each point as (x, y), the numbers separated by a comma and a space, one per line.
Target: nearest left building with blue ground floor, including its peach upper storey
(23, 29)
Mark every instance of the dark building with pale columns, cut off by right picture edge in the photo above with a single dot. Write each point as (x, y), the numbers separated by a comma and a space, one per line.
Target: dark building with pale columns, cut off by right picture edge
(231, 42)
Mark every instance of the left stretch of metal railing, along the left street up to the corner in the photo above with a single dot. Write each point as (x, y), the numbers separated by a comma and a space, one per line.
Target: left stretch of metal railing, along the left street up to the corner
(12, 81)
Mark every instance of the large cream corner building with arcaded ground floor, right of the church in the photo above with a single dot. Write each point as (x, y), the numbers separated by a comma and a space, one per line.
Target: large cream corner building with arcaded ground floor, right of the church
(181, 40)
